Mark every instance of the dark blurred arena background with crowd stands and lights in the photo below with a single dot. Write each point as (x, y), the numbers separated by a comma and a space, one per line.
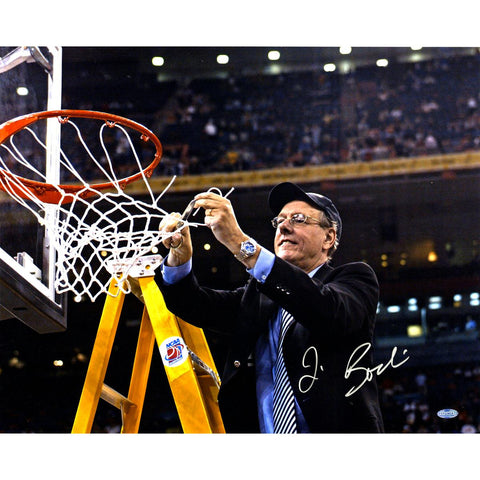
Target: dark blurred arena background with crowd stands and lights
(392, 135)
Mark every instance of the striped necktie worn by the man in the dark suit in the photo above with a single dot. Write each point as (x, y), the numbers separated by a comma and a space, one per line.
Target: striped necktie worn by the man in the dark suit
(284, 420)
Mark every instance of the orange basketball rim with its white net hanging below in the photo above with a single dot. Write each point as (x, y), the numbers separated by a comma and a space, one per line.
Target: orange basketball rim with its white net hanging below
(94, 224)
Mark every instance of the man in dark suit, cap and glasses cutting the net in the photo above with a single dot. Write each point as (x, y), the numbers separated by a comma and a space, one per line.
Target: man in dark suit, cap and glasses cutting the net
(300, 332)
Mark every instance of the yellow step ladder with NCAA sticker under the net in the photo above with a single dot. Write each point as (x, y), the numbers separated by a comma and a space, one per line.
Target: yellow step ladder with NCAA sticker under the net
(188, 363)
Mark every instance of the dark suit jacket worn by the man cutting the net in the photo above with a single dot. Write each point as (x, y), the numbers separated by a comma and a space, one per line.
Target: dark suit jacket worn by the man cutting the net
(329, 340)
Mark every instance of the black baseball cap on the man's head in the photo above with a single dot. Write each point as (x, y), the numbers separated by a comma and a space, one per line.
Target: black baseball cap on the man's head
(286, 192)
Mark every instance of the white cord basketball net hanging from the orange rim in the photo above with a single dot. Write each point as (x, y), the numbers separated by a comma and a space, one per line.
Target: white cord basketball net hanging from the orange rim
(98, 237)
